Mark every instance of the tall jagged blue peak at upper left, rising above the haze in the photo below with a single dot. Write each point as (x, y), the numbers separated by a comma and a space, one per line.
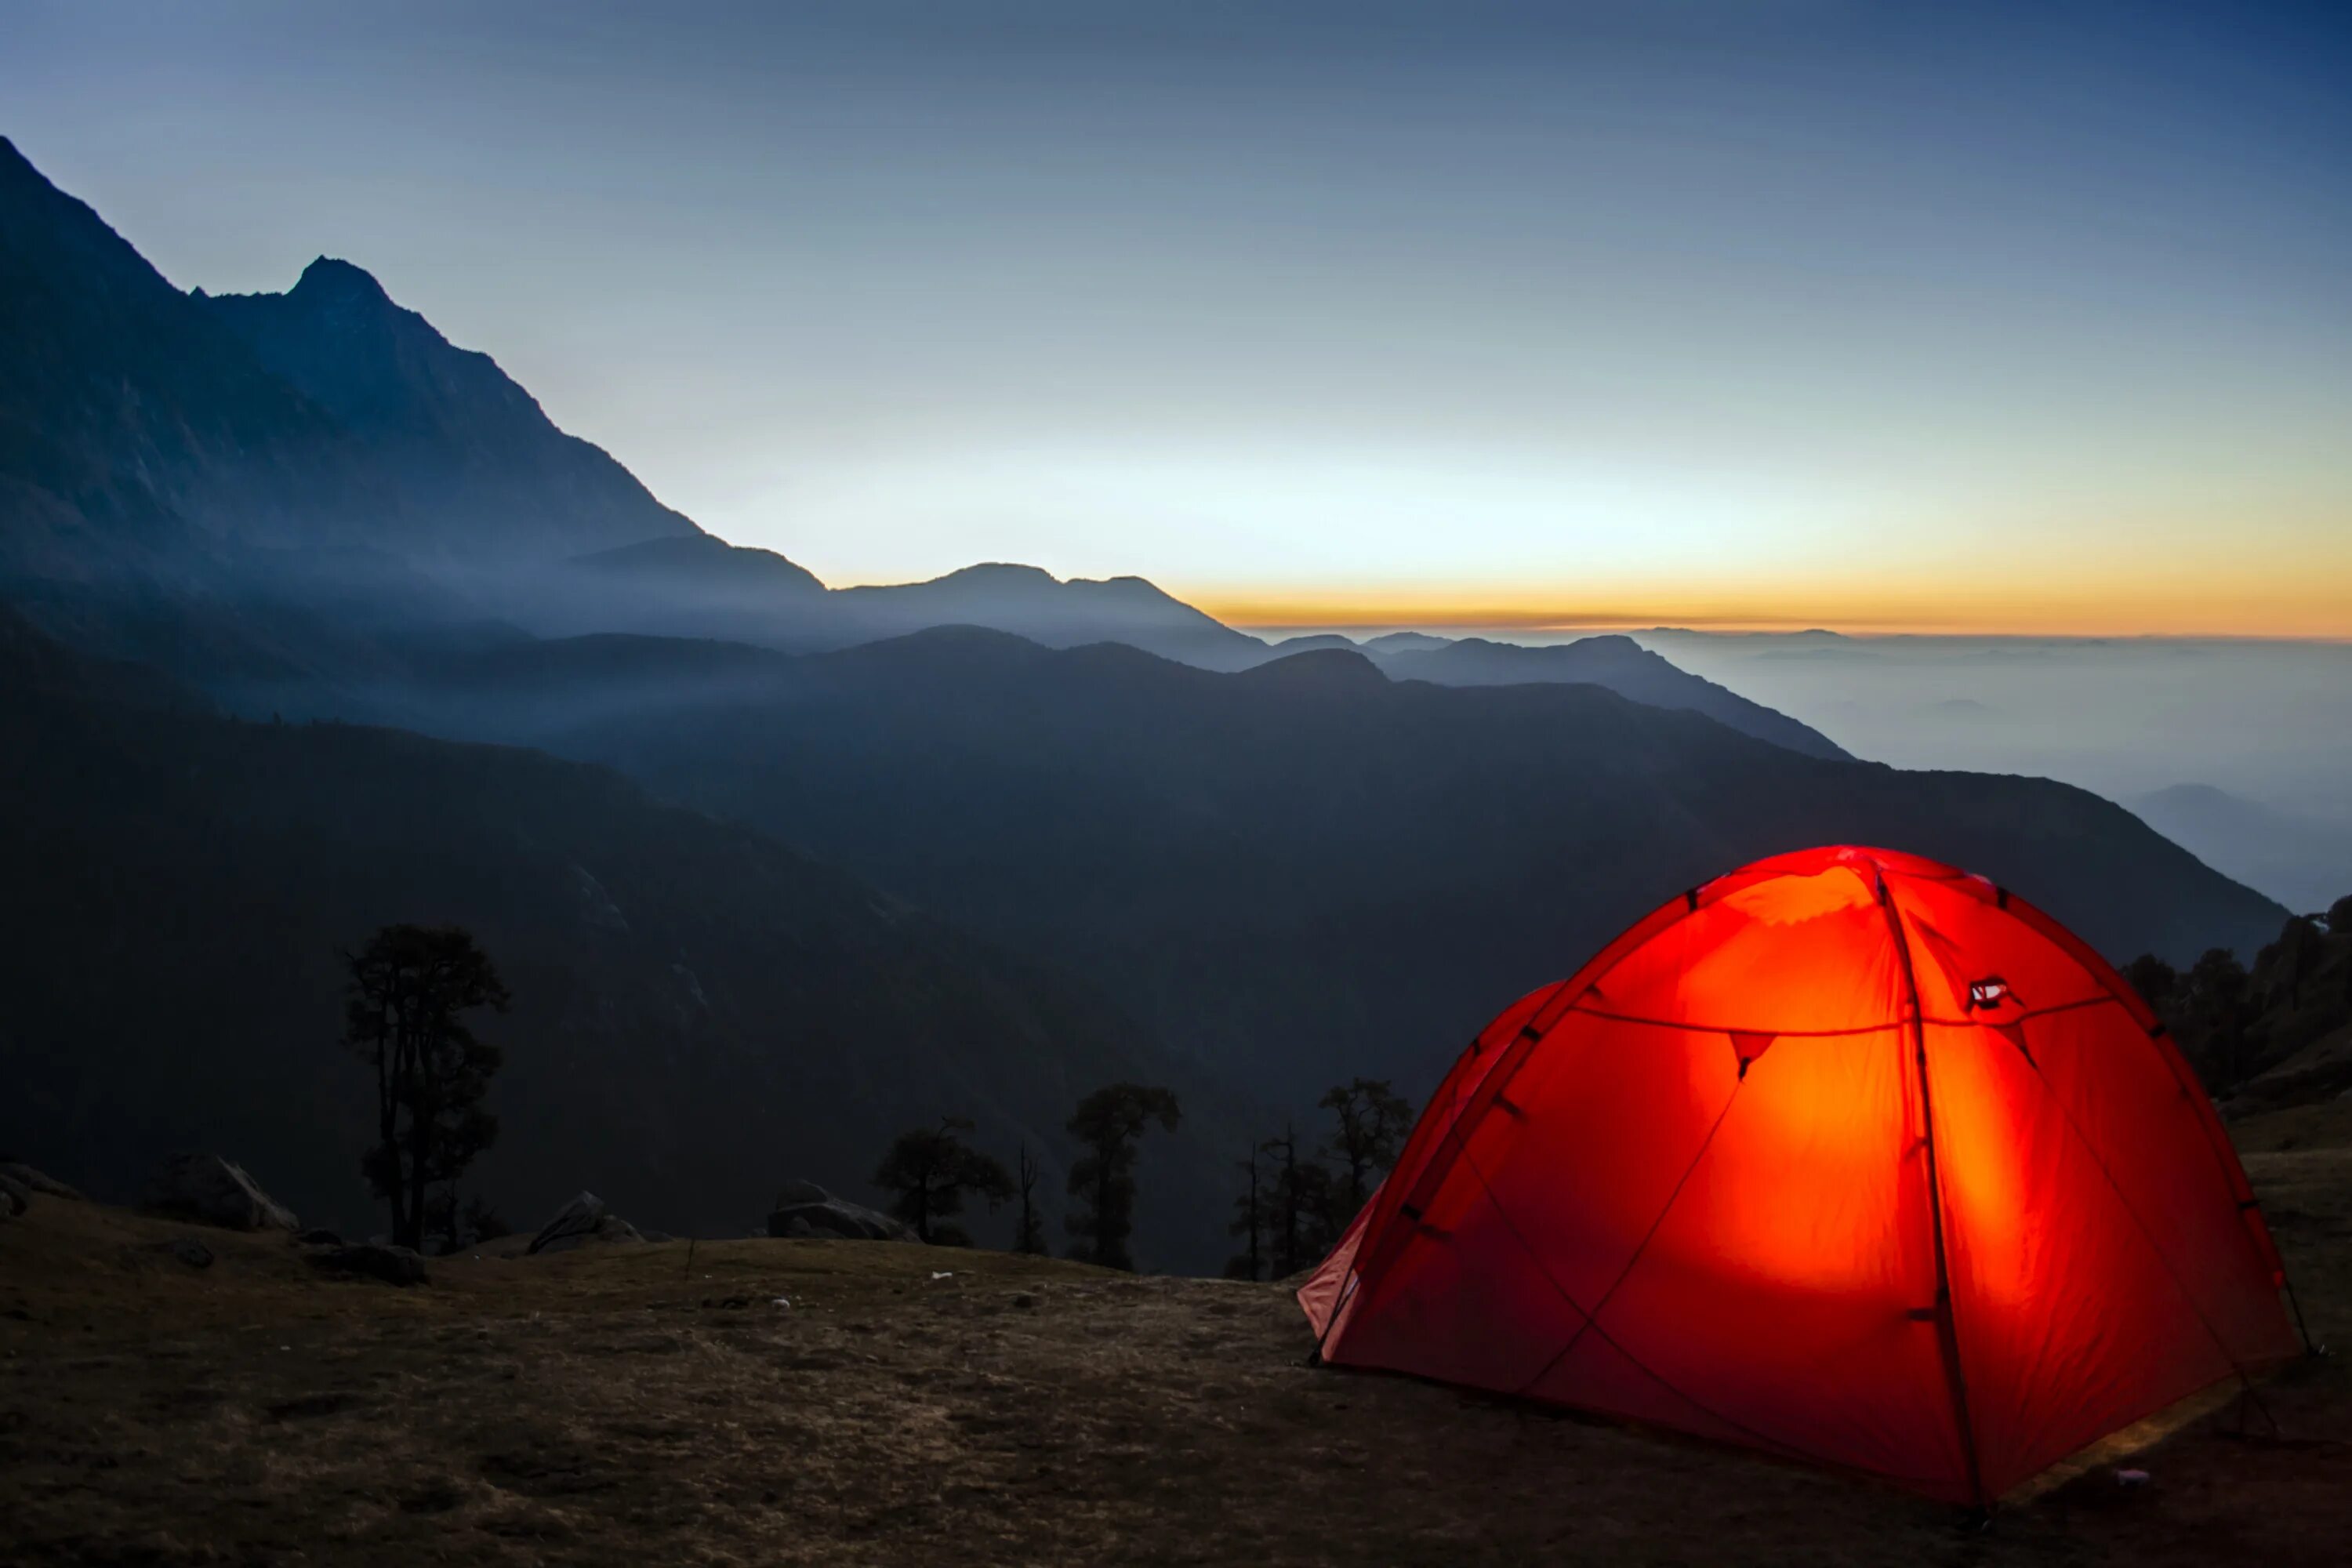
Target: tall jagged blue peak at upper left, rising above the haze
(161, 422)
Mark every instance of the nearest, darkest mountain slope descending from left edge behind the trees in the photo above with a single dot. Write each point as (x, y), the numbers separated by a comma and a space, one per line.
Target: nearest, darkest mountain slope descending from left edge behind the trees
(700, 1012)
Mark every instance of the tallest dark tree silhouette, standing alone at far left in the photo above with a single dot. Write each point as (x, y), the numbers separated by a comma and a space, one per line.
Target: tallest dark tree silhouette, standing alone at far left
(406, 1017)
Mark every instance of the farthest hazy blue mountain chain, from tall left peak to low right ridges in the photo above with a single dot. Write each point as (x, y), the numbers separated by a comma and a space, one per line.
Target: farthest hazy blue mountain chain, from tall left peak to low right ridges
(295, 497)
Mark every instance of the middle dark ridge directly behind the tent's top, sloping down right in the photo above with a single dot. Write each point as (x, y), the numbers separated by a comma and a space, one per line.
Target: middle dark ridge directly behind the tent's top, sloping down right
(1302, 871)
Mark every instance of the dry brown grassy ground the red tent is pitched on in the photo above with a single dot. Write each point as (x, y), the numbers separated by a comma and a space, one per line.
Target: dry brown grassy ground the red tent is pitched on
(624, 1407)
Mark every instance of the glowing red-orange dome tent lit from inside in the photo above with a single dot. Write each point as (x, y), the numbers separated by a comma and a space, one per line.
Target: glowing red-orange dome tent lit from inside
(1850, 1158)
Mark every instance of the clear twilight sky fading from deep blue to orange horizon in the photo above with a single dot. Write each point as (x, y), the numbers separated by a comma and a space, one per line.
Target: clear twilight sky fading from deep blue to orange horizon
(1589, 314)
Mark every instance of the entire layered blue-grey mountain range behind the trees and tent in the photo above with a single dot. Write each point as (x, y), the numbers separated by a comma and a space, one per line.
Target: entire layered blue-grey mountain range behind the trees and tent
(777, 869)
